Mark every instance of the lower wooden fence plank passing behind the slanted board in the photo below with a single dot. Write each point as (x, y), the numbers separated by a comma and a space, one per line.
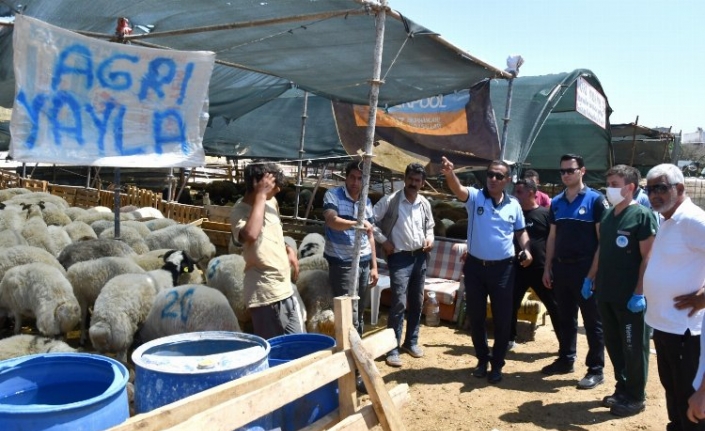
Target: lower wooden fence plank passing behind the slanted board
(364, 420)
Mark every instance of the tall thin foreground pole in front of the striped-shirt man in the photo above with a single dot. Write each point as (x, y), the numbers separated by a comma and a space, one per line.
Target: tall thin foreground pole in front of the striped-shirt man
(375, 83)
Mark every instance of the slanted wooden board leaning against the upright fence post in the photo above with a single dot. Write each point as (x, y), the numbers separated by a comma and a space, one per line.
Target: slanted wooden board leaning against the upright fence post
(387, 413)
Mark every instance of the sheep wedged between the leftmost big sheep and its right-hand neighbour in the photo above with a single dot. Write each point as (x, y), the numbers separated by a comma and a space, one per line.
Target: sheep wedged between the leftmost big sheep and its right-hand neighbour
(89, 277)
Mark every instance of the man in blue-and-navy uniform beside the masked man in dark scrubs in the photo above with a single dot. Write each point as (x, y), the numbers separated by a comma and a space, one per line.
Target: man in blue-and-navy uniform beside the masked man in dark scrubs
(571, 264)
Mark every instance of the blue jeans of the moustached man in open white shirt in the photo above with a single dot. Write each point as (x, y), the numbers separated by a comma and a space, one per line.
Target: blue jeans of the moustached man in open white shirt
(407, 276)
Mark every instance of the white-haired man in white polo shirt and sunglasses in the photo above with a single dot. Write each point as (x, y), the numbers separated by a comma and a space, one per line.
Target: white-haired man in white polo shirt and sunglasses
(673, 287)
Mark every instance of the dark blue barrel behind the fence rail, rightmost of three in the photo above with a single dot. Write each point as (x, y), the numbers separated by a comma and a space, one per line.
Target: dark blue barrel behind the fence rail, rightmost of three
(313, 406)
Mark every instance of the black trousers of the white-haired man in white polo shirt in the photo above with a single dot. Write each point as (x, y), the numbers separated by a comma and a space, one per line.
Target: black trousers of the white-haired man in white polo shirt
(677, 356)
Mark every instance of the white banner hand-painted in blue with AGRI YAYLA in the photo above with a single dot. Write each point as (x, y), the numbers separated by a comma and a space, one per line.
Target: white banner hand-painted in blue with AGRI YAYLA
(84, 101)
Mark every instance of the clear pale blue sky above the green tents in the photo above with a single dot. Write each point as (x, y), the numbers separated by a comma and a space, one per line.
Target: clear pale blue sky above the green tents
(649, 55)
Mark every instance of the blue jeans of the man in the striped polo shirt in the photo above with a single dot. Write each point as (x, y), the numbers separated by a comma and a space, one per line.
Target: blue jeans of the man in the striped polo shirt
(339, 275)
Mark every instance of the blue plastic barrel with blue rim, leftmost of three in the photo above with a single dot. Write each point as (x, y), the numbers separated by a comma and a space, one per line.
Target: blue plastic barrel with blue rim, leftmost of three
(62, 392)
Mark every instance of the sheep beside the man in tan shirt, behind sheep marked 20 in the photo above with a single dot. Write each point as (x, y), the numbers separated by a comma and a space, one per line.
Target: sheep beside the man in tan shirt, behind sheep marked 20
(226, 273)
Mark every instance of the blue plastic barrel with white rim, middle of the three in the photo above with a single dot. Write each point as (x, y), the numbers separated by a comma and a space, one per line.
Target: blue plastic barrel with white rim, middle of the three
(171, 368)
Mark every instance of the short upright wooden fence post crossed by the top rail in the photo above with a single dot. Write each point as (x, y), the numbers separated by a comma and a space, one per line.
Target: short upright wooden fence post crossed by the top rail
(347, 391)
